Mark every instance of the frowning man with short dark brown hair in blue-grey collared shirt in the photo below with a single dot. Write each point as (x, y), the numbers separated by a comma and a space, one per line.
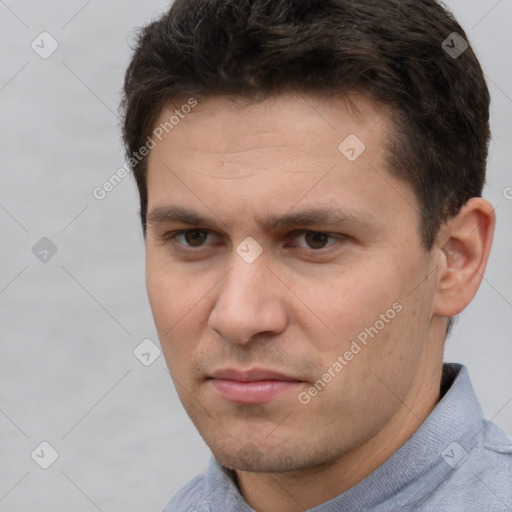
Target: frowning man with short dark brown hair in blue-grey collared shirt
(310, 177)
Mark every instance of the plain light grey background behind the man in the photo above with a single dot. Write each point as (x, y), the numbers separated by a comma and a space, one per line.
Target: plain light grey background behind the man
(69, 326)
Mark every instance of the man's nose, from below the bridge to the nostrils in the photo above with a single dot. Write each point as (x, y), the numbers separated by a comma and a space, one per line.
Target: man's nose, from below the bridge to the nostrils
(250, 301)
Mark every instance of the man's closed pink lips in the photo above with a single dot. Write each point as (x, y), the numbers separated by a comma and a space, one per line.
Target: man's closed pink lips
(254, 386)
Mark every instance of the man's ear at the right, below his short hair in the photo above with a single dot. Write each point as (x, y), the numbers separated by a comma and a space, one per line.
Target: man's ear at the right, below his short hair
(463, 246)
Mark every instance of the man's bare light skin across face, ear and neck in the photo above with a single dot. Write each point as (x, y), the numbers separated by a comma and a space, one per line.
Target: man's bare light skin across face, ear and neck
(302, 302)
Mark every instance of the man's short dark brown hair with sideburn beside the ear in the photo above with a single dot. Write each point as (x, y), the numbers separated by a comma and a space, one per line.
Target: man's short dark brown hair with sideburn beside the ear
(391, 50)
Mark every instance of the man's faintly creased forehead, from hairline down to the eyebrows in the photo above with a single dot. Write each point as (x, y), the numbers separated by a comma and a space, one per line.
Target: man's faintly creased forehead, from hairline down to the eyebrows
(230, 156)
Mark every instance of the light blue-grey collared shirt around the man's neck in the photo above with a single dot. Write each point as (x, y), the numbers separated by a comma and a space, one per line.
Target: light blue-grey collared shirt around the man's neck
(455, 462)
